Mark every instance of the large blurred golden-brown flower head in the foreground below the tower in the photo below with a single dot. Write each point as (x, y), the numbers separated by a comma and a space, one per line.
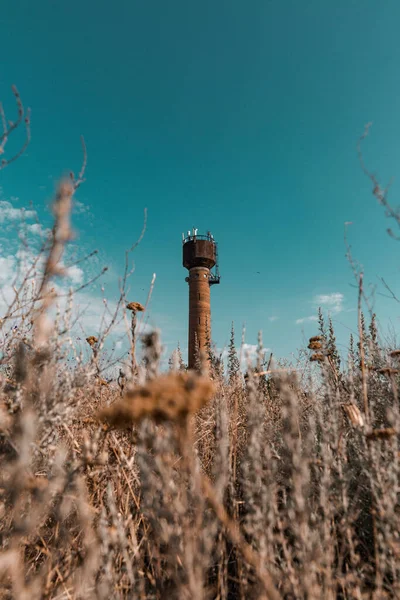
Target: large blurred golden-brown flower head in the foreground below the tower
(172, 397)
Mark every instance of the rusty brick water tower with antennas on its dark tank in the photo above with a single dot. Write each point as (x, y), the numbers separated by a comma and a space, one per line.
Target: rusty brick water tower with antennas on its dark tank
(200, 256)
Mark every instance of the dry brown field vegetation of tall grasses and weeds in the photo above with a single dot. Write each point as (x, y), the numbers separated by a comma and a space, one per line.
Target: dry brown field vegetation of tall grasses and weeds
(191, 485)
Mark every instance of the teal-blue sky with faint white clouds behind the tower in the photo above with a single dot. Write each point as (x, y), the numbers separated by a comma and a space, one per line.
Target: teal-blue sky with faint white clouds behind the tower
(238, 117)
